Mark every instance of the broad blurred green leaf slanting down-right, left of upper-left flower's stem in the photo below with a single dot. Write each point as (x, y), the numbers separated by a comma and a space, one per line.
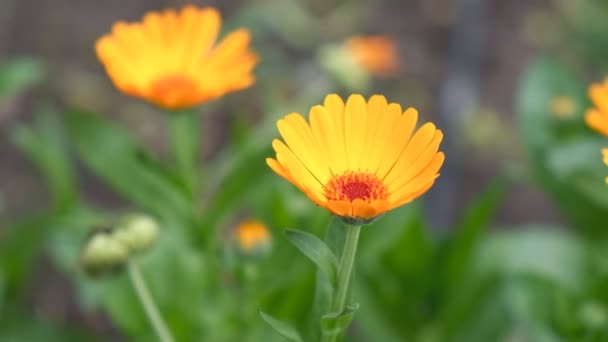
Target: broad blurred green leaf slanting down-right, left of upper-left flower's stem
(112, 154)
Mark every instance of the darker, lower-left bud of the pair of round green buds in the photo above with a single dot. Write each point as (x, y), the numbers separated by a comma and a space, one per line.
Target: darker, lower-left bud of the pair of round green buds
(102, 254)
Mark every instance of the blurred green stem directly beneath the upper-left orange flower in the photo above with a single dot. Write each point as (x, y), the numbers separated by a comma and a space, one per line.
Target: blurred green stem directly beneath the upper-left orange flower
(184, 139)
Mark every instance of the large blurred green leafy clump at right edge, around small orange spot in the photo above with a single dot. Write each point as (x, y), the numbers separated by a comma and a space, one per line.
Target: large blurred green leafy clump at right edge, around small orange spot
(565, 155)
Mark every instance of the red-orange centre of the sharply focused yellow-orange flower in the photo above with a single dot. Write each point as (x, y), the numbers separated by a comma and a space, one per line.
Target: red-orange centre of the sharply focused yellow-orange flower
(352, 185)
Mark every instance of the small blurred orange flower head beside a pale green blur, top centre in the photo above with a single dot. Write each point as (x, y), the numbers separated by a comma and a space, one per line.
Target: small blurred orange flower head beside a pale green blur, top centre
(375, 54)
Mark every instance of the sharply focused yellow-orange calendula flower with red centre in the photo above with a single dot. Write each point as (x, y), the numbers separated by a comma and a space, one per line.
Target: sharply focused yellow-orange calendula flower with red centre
(360, 159)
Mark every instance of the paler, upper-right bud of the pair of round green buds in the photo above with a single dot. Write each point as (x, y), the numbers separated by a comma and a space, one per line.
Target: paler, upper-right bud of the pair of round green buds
(137, 232)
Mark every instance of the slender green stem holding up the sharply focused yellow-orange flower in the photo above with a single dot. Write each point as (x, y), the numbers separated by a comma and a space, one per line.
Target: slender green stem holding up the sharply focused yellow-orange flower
(345, 269)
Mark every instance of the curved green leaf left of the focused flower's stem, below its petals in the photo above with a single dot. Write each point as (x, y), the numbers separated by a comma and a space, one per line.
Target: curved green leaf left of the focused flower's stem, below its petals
(317, 251)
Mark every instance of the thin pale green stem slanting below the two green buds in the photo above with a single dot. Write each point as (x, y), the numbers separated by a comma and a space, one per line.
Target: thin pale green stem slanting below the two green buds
(147, 302)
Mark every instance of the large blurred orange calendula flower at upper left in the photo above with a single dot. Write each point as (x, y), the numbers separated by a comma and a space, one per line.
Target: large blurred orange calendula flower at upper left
(172, 60)
